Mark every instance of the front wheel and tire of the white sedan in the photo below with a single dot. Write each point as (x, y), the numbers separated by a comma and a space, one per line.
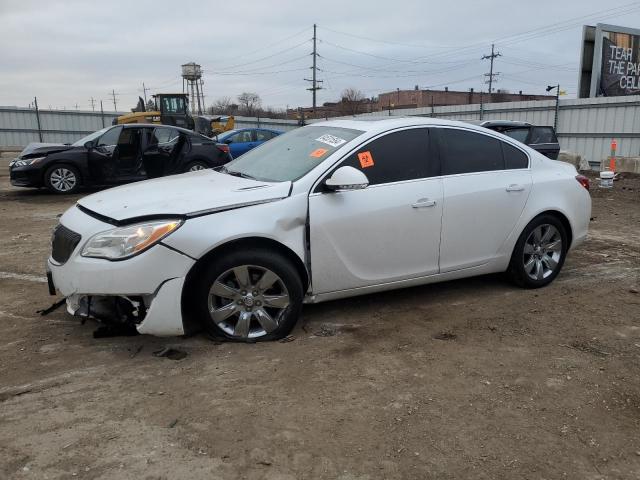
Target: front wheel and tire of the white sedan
(249, 296)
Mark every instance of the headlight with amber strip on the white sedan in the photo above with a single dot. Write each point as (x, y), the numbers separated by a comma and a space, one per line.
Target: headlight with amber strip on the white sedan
(125, 242)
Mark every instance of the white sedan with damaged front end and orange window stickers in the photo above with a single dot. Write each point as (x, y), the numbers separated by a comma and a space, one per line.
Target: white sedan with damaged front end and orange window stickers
(327, 211)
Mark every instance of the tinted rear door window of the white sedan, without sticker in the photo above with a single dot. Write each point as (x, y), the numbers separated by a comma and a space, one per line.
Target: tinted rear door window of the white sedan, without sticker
(463, 151)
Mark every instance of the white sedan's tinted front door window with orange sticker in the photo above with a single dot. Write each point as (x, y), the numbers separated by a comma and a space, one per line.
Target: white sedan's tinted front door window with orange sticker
(394, 157)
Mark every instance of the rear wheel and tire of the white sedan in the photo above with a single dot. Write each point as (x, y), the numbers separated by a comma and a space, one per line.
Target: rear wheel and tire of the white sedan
(539, 253)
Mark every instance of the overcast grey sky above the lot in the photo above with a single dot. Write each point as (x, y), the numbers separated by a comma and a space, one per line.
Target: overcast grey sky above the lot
(67, 52)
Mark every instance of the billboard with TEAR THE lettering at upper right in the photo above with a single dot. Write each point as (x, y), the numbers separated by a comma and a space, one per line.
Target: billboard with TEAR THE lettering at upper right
(610, 61)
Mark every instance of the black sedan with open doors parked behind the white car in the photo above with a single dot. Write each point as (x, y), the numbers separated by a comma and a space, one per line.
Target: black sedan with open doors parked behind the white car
(116, 155)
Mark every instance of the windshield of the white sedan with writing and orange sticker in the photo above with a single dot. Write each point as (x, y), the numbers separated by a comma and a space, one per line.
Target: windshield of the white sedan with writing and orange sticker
(292, 155)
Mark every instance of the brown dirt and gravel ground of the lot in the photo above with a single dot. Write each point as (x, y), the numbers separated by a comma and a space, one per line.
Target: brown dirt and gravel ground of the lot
(466, 379)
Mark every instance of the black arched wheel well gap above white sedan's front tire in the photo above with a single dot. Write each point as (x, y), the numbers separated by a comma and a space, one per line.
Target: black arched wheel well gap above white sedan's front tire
(241, 243)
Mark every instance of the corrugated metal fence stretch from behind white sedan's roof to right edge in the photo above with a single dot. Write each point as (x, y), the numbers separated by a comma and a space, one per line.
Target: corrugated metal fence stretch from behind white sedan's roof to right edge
(585, 126)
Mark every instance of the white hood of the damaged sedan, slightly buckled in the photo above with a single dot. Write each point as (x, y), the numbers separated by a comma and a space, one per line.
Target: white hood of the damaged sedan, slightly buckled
(188, 194)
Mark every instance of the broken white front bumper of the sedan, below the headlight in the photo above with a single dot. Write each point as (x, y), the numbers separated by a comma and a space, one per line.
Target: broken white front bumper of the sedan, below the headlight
(144, 291)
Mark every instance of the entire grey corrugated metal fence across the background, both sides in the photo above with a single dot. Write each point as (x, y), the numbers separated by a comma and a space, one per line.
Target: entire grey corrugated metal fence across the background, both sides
(585, 126)
